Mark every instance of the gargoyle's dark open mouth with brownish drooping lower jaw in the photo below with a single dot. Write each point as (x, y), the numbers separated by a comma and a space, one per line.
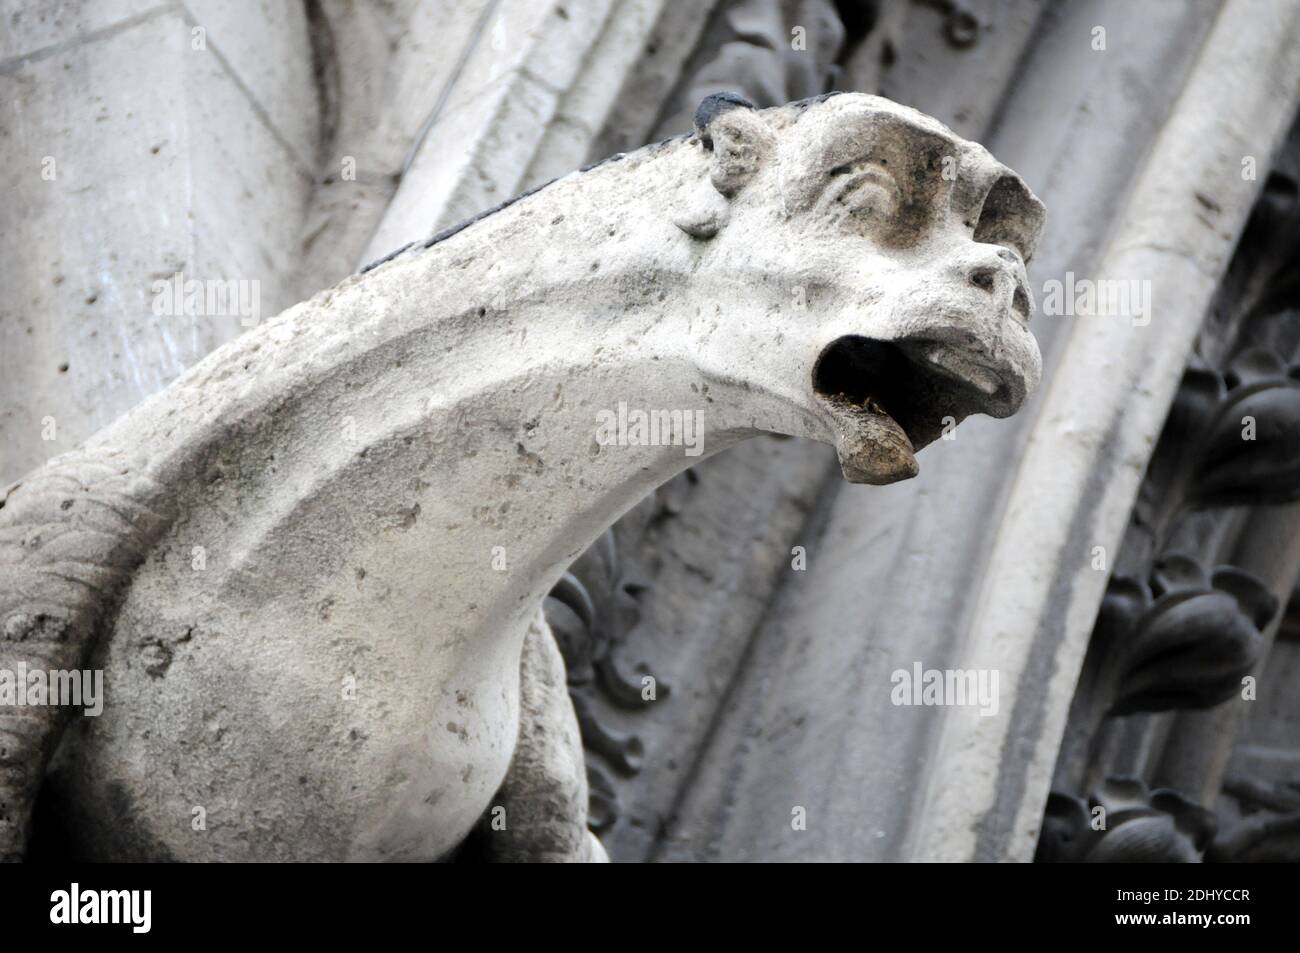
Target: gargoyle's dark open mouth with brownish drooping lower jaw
(891, 400)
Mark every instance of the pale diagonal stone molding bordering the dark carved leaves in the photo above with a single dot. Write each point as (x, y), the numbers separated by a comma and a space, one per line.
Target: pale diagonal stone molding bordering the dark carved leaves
(1091, 444)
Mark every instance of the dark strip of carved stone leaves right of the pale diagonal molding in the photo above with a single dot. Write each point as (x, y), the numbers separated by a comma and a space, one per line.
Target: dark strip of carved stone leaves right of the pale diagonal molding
(1181, 626)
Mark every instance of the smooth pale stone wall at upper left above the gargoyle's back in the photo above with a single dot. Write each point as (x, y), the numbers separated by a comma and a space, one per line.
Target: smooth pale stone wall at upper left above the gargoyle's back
(112, 118)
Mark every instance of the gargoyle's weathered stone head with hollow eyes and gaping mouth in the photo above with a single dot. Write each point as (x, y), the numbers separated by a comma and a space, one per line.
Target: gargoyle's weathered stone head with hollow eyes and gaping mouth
(903, 252)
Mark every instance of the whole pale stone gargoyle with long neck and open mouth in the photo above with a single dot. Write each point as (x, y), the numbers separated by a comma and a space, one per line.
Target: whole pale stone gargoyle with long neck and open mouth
(311, 570)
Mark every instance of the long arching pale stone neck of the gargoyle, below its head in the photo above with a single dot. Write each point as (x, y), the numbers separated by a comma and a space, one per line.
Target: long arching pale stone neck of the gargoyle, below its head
(475, 414)
